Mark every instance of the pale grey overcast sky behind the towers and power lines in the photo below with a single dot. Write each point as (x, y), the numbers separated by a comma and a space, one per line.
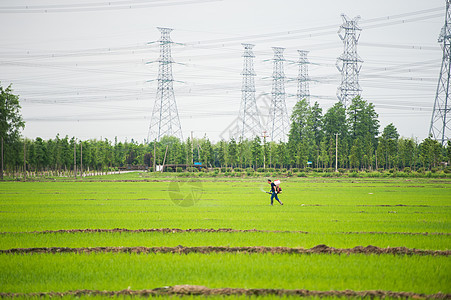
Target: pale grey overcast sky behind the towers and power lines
(81, 67)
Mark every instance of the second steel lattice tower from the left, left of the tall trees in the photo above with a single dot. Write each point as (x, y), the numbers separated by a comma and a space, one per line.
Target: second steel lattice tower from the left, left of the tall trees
(249, 120)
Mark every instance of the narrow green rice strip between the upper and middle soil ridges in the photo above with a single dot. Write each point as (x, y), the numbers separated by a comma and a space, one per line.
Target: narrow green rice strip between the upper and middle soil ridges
(232, 239)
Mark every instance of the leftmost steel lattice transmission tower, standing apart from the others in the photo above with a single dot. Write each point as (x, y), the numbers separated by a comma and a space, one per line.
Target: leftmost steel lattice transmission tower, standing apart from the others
(165, 118)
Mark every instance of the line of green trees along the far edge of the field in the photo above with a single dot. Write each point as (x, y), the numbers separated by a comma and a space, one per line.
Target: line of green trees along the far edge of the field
(345, 138)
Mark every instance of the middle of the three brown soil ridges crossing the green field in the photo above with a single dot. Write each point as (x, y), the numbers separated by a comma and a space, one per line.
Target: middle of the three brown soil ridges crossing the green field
(319, 249)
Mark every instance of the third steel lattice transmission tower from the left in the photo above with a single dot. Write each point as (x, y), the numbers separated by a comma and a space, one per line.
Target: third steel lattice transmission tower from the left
(278, 123)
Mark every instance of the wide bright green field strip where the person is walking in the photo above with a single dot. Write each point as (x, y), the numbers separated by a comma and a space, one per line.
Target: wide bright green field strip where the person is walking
(311, 206)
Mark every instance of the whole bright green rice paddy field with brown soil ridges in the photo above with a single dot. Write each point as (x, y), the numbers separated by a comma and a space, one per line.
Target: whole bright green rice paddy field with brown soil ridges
(139, 235)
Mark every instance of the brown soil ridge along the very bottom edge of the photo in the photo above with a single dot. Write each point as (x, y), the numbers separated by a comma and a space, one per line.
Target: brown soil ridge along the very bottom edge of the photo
(182, 290)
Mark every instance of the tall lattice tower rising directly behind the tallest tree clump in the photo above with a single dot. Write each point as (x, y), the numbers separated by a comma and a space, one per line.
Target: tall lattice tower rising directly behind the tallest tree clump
(349, 63)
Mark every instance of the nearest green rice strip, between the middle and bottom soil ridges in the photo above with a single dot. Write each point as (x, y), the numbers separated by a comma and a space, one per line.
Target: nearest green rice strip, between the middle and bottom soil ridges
(108, 271)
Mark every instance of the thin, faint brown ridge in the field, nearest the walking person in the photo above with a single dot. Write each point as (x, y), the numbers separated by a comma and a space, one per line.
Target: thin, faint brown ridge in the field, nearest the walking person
(208, 230)
